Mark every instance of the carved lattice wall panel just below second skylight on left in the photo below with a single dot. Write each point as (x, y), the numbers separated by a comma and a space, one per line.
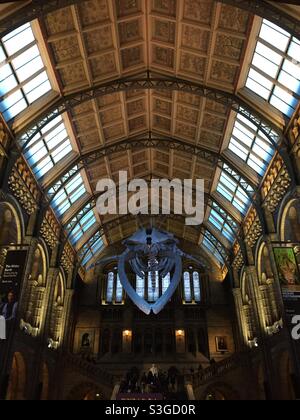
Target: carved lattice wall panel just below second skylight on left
(24, 186)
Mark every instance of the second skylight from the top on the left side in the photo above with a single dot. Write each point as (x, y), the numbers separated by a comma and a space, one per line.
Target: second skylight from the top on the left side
(48, 147)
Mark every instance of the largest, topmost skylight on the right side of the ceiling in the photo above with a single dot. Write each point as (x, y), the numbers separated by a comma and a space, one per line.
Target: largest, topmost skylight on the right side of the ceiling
(275, 70)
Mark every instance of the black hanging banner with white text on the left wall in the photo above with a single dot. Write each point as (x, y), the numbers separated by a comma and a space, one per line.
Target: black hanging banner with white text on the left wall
(11, 282)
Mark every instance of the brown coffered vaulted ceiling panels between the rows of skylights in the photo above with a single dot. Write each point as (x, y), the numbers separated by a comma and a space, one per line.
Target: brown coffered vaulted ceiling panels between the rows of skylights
(192, 43)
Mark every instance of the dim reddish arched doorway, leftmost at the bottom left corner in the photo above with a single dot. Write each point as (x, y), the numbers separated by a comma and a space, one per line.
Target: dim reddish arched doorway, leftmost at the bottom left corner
(17, 379)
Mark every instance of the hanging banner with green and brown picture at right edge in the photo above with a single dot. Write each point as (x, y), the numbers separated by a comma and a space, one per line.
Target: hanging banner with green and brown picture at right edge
(287, 262)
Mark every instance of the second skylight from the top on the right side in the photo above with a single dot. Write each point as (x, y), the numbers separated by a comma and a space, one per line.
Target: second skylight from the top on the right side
(251, 145)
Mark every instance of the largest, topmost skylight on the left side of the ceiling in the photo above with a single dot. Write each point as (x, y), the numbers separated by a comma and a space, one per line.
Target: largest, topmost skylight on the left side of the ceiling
(23, 75)
